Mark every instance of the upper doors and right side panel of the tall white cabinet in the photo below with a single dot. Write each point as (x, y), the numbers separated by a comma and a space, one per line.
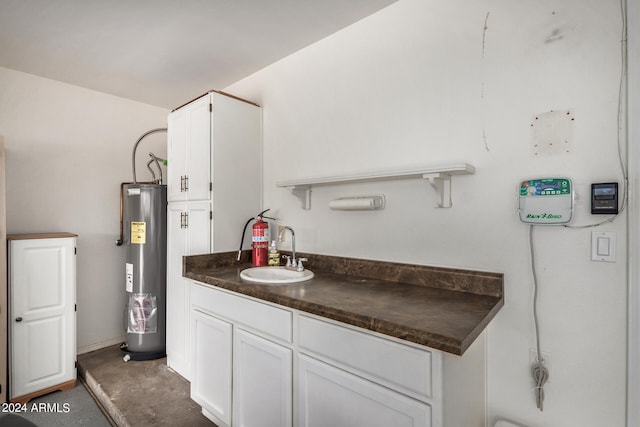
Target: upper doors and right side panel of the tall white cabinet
(214, 153)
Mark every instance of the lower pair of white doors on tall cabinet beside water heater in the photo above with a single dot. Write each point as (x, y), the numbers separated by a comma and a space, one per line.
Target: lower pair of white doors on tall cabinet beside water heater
(188, 233)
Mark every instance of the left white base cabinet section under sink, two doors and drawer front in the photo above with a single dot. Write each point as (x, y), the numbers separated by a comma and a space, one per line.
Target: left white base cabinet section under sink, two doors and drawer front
(241, 377)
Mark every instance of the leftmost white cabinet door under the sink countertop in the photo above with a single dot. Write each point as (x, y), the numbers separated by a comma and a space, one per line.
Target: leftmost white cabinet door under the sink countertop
(211, 366)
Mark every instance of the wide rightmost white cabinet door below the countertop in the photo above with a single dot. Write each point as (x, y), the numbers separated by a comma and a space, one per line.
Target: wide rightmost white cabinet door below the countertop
(331, 397)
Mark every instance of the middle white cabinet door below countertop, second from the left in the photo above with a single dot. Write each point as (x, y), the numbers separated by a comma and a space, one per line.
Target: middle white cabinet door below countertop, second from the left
(262, 382)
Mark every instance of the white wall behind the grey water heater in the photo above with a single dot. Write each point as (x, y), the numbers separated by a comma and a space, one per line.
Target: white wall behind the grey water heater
(67, 151)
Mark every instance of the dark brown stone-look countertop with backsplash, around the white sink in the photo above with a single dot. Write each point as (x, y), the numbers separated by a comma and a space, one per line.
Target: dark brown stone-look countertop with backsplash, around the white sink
(442, 308)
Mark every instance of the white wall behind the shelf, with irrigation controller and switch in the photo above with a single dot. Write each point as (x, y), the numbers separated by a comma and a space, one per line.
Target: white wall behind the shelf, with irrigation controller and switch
(427, 83)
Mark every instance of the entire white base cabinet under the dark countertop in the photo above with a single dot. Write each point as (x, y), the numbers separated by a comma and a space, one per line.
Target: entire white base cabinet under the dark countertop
(257, 364)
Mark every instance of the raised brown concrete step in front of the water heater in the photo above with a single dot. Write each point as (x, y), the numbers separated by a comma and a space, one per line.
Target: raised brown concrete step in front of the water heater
(139, 393)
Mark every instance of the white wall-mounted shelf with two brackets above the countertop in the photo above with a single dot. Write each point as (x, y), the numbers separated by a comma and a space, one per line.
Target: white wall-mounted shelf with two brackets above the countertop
(439, 178)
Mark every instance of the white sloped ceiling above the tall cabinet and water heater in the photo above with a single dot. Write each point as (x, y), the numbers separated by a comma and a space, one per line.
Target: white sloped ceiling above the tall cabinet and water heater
(164, 52)
